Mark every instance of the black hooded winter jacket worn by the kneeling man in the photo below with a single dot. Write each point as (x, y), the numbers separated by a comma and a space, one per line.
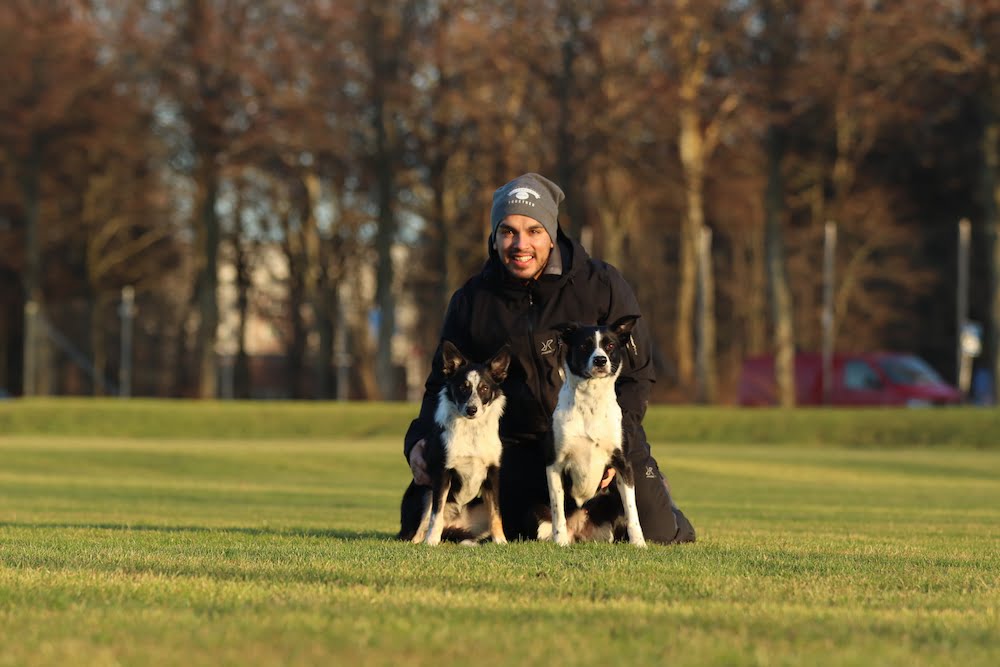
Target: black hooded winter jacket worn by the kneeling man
(494, 308)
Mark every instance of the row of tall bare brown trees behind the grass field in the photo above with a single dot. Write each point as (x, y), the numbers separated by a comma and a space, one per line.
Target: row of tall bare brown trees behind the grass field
(144, 141)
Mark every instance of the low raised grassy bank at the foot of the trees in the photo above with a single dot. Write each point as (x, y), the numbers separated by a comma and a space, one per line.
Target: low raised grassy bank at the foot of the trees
(245, 420)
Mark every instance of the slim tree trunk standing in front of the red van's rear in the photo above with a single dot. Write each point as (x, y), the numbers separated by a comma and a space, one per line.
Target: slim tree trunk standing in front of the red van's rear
(781, 297)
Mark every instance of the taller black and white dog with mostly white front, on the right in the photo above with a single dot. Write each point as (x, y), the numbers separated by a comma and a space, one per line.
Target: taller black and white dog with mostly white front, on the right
(587, 434)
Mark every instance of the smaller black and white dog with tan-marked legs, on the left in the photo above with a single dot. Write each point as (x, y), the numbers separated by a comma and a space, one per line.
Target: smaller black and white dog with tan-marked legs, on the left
(463, 457)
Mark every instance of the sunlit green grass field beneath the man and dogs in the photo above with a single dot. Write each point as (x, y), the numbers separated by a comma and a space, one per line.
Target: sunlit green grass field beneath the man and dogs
(210, 548)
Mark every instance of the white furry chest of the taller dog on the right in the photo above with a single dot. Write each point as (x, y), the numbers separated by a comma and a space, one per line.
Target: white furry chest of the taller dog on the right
(587, 429)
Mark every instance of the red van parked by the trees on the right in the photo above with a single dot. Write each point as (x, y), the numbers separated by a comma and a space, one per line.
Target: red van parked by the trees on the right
(875, 378)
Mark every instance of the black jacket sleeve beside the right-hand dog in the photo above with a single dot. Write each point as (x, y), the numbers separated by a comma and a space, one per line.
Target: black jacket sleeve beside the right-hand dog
(638, 374)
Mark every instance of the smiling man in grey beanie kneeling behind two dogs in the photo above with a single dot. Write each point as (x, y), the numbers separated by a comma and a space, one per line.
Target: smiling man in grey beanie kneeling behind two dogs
(535, 279)
